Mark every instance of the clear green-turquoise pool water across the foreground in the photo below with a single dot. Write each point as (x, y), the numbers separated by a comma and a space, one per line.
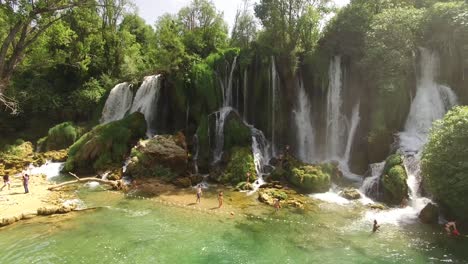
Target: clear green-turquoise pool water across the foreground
(141, 231)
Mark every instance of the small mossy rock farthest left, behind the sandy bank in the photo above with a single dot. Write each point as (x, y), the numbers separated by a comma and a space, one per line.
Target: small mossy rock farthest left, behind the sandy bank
(59, 137)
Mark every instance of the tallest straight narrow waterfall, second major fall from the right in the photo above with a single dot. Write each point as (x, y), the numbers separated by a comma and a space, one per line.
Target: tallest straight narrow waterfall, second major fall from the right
(335, 120)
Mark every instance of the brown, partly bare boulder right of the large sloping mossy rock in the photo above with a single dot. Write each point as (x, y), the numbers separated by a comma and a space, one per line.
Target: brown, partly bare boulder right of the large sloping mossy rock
(162, 156)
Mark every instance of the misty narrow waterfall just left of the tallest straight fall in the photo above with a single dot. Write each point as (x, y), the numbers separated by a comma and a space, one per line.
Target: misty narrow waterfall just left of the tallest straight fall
(303, 120)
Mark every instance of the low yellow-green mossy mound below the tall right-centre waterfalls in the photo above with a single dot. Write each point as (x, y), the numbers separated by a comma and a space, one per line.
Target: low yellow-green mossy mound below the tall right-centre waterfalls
(310, 178)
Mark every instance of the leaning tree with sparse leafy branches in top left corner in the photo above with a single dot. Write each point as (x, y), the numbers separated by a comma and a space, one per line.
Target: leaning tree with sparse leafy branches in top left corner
(26, 22)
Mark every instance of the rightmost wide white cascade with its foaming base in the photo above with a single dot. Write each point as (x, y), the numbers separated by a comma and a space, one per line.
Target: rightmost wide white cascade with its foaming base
(431, 103)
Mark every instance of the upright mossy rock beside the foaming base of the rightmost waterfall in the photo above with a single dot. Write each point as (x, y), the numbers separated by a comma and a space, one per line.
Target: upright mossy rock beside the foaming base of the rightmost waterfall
(393, 181)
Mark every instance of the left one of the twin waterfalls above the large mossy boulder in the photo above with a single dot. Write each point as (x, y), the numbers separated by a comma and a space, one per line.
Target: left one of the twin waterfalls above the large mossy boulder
(118, 103)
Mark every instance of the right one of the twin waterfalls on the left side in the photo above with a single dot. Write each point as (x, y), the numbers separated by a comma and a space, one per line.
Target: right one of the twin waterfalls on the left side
(146, 100)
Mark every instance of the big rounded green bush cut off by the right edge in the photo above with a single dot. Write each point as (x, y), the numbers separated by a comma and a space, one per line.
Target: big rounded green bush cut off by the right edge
(444, 161)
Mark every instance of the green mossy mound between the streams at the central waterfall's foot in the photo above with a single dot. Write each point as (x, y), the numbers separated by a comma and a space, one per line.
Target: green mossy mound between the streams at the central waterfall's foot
(241, 161)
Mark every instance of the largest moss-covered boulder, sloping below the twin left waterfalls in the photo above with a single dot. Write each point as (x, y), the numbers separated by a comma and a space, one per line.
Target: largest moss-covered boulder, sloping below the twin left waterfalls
(106, 145)
